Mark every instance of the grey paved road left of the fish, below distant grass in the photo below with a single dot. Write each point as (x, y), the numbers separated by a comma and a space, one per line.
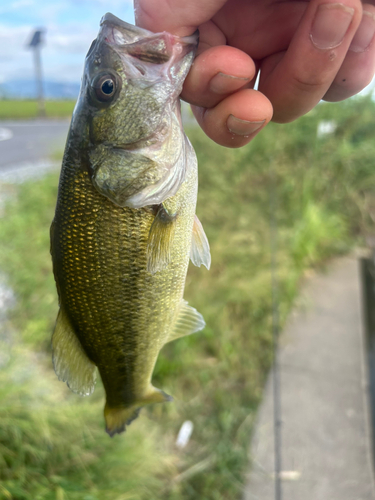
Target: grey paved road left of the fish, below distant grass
(30, 141)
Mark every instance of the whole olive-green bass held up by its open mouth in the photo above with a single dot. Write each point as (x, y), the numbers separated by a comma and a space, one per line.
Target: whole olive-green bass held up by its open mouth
(125, 225)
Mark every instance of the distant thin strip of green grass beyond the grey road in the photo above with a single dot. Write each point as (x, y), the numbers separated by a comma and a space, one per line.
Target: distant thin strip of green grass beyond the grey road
(17, 109)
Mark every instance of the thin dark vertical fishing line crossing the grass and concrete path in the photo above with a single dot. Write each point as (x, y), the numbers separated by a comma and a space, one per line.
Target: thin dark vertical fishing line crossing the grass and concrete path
(275, 336)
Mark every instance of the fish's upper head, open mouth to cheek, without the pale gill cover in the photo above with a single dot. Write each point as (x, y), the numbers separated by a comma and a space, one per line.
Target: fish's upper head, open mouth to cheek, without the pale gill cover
(131, 79)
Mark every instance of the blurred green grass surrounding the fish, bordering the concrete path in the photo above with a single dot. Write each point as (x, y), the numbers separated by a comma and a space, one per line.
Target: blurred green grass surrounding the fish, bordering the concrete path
(52, 443)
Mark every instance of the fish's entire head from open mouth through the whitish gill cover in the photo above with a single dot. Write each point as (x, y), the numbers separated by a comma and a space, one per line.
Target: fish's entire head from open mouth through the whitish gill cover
(128, 106)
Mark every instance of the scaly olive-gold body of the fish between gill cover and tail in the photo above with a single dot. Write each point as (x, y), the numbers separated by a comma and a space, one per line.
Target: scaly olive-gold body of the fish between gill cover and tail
(93, 264)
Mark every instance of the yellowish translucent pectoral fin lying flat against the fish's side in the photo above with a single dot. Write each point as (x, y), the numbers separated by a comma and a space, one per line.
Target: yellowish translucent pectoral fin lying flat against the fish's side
(159, 241)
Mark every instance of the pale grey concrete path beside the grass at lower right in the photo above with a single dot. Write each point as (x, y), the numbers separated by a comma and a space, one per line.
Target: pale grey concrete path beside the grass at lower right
(326, 439)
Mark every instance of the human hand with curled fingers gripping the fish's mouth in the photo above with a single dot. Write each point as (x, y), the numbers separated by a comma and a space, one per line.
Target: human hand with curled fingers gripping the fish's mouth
(306, 51)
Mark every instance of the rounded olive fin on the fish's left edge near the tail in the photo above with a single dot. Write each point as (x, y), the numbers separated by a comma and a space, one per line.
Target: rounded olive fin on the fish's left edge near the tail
(70, 361)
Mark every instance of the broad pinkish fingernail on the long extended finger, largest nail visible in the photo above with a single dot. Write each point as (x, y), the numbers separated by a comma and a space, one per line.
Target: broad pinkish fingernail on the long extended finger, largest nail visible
(330, 25)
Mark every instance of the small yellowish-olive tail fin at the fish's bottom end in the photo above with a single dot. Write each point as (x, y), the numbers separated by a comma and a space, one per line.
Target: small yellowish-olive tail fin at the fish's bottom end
(117, 419)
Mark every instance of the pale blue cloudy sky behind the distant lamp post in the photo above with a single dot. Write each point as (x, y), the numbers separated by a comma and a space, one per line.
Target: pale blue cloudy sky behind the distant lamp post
(70, 26)
